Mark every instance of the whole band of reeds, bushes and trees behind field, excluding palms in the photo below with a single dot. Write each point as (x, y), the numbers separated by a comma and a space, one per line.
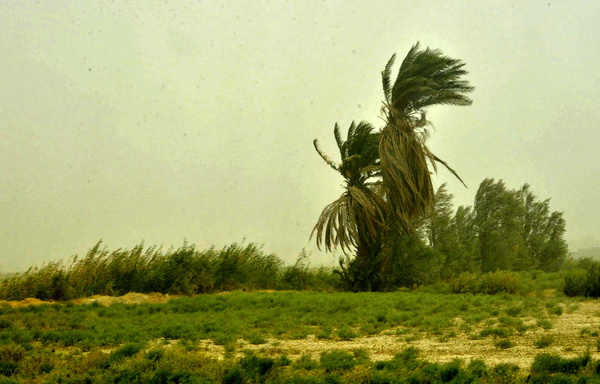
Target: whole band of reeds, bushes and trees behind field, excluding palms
(506, 240)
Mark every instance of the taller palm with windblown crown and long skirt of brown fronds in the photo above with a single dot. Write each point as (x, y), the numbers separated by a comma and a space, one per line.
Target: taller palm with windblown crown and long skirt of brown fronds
(426, 78)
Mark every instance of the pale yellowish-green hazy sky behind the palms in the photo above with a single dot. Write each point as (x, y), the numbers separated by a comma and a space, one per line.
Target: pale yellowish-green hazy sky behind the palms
(138, 120)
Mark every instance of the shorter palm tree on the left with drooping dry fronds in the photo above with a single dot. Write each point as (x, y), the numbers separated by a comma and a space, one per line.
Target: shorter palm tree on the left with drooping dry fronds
(357, 219)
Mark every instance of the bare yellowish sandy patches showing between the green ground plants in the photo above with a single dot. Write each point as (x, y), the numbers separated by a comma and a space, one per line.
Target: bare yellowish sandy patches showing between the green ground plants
(566, 331)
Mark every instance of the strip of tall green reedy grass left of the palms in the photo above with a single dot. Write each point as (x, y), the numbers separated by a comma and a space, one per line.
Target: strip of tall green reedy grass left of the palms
(185, 270)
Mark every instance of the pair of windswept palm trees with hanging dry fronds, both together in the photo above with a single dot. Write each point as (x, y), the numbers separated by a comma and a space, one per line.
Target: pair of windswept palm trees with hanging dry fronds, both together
(387, 175)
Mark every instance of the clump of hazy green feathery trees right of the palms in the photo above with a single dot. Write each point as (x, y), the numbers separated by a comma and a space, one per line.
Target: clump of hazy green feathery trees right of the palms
(505, 229)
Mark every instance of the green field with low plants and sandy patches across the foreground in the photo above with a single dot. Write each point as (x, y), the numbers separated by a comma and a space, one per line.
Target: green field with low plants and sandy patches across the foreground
(304, 337)
